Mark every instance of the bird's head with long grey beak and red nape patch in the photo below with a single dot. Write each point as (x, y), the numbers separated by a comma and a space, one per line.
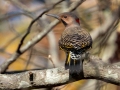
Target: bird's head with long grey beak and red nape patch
(67, 18)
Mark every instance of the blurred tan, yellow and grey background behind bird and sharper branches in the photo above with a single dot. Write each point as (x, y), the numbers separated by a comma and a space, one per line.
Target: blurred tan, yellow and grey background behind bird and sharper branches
(99, 17)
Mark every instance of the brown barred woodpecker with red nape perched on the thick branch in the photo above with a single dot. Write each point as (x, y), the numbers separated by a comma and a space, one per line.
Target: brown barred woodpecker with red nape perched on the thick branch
(74, 40)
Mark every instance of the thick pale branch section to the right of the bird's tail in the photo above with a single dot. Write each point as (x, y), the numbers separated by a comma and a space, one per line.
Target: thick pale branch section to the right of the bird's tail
(96, 69)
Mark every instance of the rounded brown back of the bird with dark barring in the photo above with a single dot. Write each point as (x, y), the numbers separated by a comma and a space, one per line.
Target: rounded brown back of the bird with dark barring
(75, 38)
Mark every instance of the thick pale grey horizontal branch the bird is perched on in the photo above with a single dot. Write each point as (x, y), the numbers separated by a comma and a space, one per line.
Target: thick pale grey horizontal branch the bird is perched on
(93, 68)
